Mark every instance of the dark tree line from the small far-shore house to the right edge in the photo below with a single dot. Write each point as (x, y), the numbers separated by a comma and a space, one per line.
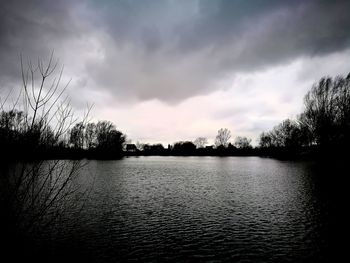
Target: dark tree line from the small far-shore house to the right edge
(322, 129)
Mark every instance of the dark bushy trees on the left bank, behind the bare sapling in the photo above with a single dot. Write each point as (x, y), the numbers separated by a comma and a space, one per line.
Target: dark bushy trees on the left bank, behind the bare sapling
(20, 141)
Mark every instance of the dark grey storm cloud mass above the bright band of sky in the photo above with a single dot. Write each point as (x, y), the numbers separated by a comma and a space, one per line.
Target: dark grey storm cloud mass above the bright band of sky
(169, 50)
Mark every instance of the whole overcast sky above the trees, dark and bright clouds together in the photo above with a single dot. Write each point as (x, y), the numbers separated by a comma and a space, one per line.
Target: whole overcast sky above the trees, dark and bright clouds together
(170, 70)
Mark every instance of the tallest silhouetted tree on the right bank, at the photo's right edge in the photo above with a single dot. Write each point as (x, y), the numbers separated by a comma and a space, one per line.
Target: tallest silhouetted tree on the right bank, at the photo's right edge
(327, 111)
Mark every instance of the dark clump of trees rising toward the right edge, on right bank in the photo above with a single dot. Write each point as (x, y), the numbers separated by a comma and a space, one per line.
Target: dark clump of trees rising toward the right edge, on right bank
(322, 128)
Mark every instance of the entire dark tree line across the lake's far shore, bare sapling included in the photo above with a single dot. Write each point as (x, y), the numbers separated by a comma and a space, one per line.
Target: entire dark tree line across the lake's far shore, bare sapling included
(41, 124)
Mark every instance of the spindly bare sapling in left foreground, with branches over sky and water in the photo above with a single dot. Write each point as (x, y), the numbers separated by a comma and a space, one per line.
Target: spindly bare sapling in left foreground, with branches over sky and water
(33, 192)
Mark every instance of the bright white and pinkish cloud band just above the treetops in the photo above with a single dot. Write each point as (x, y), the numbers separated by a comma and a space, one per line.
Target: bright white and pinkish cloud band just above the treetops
(265, 98)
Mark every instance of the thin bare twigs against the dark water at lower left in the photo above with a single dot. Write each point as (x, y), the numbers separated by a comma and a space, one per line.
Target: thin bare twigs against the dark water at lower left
(37, 194)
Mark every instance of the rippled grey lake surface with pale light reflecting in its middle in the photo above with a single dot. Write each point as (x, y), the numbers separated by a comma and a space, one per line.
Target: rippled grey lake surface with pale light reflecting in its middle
(244, 209)
